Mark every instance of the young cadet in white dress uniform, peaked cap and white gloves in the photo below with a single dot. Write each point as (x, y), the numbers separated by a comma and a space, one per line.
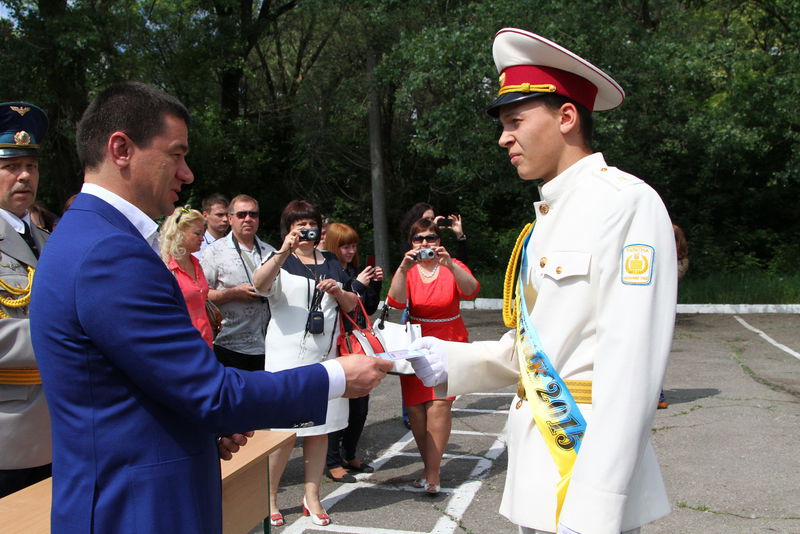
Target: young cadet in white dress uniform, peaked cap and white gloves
(599, 290)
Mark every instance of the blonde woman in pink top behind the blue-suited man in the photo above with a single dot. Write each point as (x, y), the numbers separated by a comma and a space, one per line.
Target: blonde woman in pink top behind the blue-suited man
(181, 235)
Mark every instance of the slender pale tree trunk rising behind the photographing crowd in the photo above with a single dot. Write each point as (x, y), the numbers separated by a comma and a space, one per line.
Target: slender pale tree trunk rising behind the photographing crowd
(380, 226)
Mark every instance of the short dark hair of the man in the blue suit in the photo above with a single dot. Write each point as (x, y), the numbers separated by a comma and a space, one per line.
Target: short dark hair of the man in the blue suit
(133, 108)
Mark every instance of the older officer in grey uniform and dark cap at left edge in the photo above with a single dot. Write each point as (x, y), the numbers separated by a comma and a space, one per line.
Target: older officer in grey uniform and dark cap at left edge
(24, 420)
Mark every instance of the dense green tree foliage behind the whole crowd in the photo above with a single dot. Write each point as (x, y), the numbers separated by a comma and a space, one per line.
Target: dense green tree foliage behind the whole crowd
(279, 93)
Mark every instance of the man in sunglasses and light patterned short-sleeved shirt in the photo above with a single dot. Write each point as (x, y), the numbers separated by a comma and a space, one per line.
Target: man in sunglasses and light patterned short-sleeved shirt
(228, 264)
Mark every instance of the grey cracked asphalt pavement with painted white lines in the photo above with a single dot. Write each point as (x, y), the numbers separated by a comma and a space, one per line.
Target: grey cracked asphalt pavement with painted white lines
(727, 444)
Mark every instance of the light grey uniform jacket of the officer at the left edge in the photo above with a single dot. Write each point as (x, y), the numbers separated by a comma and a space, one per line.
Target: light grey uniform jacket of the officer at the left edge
(24, 419)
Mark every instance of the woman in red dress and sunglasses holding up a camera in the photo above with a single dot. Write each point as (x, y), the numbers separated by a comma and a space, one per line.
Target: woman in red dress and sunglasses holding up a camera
(431, 284)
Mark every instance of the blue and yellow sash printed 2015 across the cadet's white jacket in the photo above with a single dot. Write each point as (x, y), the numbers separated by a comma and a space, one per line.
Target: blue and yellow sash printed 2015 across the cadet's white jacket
(554, 409)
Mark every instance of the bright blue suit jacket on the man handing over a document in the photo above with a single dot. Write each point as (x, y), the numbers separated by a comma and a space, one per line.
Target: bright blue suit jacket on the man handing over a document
(136, 396)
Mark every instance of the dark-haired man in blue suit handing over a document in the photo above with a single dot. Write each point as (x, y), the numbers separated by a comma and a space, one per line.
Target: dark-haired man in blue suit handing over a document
(137, 399)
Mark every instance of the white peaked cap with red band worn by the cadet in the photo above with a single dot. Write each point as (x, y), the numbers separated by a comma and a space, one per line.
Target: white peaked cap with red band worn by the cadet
(530, 66)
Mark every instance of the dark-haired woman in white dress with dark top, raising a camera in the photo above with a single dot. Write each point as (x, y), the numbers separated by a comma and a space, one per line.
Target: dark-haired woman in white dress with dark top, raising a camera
(304, 287)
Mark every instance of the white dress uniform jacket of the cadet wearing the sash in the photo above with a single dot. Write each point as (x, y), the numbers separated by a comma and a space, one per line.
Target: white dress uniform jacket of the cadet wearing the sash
(605, 312)
